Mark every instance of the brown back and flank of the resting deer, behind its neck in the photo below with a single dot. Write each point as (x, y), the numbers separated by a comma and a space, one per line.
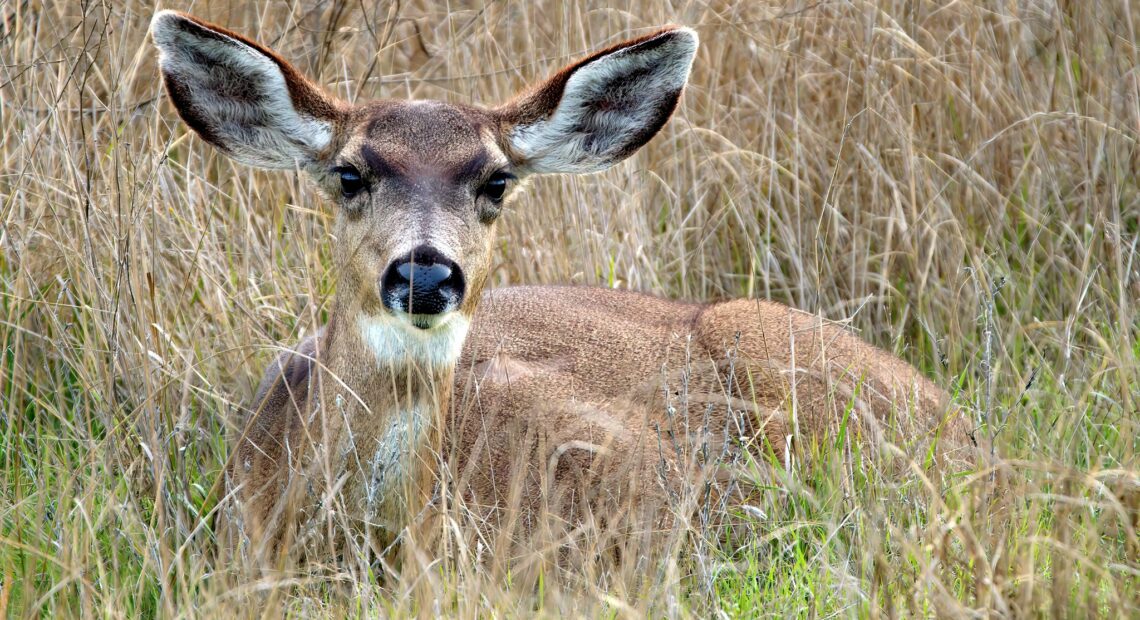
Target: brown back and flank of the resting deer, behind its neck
(591, 365)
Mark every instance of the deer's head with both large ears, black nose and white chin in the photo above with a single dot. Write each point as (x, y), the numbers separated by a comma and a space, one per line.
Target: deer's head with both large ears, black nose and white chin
(420, 185)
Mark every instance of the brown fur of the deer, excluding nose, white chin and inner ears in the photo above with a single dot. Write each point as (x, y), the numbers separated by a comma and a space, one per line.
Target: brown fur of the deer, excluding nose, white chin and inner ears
(563, 397)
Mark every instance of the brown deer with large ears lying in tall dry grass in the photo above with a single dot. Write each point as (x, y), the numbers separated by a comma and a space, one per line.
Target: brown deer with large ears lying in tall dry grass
(421, 366)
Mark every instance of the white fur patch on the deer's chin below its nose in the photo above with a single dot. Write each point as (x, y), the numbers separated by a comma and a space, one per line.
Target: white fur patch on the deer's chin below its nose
(398, 340)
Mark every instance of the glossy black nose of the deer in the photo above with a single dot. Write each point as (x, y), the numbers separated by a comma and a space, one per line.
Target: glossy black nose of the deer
(422, 283)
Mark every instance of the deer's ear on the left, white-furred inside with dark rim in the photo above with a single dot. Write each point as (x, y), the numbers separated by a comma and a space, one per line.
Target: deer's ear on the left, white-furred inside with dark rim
(242, 97)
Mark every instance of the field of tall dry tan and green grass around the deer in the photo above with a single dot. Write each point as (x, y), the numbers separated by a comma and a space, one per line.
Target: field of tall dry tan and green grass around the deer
(958, 182)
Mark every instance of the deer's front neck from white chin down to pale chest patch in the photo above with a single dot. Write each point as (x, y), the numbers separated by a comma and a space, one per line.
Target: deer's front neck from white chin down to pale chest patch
(384, 396)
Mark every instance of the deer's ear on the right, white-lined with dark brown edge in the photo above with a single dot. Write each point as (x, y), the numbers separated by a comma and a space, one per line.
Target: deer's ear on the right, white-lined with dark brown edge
(599, 111)
